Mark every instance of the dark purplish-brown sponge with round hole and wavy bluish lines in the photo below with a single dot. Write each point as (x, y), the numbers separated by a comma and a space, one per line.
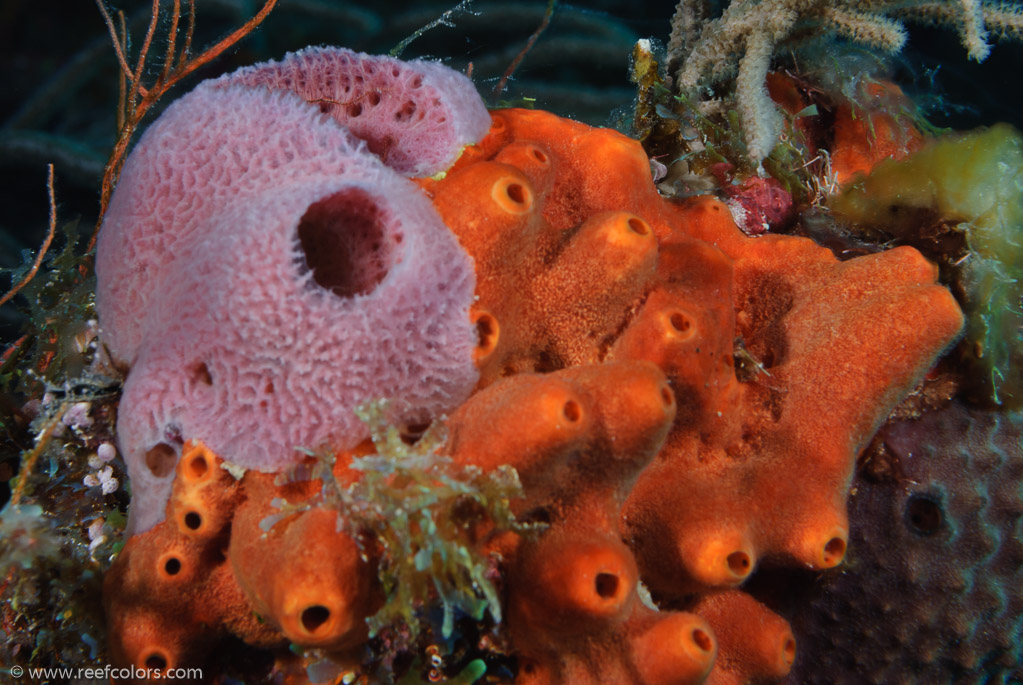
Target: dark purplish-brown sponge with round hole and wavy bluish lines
(952, 510)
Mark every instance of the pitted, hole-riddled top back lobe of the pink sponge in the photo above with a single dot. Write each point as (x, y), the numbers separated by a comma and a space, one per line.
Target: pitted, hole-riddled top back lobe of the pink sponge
(416, 116)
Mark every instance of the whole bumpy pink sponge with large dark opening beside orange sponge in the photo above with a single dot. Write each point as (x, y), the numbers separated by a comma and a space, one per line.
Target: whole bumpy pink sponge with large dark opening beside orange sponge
(262, 272)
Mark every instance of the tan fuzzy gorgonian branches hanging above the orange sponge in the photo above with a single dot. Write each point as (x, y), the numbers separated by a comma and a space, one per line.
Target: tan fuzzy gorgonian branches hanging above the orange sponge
(710, 58)
